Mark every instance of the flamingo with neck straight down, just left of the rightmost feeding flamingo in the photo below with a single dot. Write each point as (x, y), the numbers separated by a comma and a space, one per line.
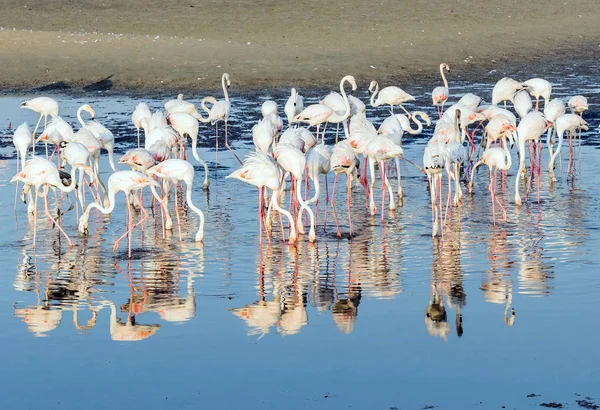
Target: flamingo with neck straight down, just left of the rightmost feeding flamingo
(531, 127)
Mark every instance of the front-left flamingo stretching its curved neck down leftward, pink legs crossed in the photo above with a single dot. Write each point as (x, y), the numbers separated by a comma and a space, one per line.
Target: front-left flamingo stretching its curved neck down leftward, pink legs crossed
(126, 181)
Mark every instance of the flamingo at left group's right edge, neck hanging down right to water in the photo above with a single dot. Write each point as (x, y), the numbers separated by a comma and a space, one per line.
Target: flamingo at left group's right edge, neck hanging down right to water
(176, 170)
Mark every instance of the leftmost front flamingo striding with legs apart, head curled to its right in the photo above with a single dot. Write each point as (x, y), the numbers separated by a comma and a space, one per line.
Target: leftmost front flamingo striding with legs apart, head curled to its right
(40, 172)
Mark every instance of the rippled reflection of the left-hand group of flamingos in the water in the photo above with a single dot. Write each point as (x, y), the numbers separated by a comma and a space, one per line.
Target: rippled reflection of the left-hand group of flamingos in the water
(75, 280)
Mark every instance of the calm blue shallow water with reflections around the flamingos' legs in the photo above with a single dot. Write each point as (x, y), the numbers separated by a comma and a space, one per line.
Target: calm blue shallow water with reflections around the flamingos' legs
(338, 324)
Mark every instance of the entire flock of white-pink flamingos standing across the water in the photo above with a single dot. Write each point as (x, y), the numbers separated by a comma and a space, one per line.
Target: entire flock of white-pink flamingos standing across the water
(160, 161)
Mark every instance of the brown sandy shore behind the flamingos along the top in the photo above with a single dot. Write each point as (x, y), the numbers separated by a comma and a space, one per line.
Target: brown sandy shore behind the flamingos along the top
(186, 45)
